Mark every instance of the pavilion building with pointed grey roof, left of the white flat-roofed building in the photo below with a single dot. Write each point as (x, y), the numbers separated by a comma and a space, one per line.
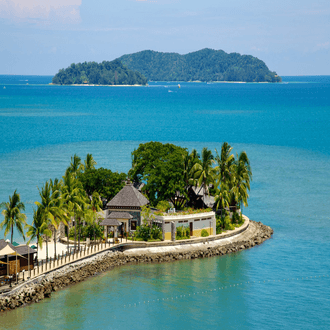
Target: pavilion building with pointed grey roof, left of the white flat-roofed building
(126, 207)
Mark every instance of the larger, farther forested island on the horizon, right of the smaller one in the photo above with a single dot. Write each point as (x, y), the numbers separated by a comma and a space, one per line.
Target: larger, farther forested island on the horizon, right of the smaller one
(203, 65)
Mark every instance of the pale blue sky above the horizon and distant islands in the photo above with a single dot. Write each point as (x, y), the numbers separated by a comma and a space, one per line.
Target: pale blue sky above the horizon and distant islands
(39, 37)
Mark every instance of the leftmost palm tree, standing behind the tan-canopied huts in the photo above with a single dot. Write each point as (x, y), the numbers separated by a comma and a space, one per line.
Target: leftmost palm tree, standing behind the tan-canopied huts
(13, 215)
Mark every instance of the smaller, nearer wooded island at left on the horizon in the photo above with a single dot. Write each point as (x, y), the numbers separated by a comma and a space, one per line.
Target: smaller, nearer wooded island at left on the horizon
(105, 73)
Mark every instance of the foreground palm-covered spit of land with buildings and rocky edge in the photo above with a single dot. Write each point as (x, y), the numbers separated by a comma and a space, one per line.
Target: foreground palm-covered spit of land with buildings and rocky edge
(179, 205)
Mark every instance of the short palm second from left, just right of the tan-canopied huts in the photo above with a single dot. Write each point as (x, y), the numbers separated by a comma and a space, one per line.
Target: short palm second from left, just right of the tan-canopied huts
(38, 228)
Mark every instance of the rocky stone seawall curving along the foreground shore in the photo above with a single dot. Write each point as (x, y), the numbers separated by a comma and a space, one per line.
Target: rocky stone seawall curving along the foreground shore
(43, 286)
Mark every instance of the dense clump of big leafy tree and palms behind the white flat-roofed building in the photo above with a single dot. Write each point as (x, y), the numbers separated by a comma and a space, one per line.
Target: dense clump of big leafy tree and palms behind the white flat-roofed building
(171, 173)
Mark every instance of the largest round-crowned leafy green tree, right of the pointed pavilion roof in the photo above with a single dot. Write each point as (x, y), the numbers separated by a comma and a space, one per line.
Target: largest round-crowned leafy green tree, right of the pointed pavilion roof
(160, 167)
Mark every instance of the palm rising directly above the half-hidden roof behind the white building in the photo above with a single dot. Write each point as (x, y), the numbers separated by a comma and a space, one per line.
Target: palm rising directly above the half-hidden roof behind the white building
(204, 173)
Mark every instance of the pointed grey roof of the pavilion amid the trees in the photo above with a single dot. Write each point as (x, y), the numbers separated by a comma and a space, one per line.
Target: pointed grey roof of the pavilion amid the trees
(128, 197)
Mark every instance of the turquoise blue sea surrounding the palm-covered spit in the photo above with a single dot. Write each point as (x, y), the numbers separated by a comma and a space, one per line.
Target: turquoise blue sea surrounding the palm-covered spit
(285, 130)
